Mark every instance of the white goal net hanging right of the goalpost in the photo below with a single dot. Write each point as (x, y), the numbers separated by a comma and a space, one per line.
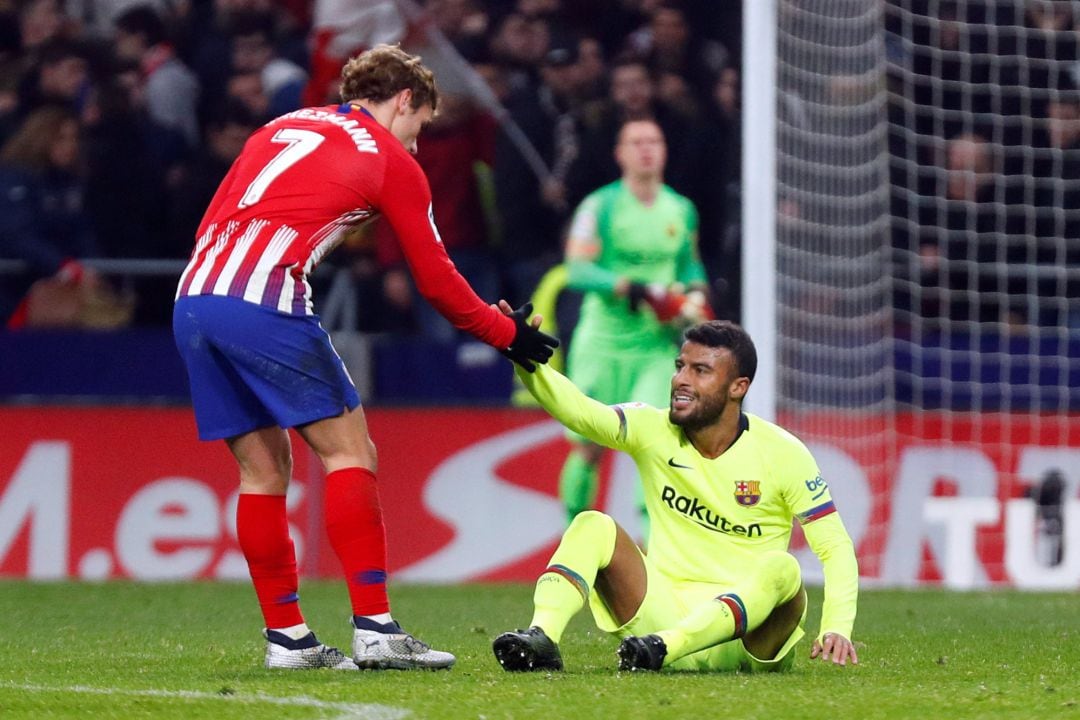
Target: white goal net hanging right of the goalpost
(928, 276)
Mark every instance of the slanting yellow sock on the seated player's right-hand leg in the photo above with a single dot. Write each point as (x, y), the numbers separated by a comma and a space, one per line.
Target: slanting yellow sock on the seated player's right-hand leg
(775, 581)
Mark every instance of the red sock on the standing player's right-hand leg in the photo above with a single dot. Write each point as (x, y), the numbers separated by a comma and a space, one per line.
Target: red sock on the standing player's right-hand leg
(355, 526)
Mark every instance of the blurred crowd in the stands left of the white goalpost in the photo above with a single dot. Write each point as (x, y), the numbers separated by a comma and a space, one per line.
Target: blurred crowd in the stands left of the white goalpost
(119, 118)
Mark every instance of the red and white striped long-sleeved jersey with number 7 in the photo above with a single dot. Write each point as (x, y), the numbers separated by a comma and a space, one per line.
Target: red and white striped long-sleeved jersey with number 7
(302, 181)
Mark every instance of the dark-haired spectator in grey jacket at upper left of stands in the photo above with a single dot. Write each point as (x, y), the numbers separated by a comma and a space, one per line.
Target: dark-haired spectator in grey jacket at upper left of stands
(171, 89)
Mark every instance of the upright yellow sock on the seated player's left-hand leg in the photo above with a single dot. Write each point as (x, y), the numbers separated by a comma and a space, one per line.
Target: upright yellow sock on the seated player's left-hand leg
(563, 590)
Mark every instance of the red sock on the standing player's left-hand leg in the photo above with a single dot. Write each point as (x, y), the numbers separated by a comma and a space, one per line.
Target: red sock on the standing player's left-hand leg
(263, 532)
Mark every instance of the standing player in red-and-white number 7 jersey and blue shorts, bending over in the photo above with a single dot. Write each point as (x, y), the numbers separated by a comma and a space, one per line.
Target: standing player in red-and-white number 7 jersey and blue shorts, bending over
(260, 362)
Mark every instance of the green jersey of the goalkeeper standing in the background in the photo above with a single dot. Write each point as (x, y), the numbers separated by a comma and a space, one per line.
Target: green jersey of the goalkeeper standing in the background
(653, 244)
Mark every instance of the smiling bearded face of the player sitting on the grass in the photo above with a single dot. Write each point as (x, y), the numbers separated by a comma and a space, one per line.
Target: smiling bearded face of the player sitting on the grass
(706, 383)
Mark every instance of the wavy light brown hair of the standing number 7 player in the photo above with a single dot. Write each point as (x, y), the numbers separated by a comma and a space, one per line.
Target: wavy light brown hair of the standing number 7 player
(383, 72)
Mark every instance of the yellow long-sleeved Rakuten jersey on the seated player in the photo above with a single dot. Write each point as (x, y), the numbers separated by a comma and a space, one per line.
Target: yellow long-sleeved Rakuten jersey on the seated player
(712, 518)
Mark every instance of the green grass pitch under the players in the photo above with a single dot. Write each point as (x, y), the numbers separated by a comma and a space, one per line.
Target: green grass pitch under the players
(120, 650)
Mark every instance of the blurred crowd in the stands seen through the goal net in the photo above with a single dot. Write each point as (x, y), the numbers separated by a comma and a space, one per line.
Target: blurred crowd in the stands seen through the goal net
(985, 150)
